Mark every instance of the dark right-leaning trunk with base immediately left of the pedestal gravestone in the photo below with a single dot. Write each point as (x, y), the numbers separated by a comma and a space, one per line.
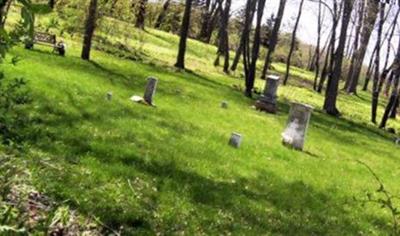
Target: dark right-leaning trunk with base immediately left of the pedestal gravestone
(251, 72)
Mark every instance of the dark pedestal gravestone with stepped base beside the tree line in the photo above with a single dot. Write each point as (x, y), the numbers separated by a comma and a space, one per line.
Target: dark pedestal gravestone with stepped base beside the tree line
(267, 102)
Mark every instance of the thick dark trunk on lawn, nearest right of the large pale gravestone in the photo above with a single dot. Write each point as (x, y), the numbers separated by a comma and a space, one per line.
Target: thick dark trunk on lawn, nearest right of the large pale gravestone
(333, 82)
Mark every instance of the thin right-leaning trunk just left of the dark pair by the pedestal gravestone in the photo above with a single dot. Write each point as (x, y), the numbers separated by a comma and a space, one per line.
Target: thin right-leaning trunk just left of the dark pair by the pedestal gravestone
(248, 19)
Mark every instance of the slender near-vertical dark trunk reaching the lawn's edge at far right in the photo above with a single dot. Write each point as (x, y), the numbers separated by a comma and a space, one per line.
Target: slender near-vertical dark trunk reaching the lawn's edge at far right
(375, 89)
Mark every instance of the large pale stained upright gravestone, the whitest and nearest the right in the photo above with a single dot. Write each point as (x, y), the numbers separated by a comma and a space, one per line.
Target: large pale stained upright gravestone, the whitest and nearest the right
(295, 132)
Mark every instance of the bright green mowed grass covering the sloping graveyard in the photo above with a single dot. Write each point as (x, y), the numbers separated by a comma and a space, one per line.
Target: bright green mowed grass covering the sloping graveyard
(170, 170)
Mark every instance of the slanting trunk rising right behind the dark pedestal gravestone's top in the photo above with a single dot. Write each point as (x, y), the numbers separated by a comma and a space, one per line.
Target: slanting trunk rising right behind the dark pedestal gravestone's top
(274, 37)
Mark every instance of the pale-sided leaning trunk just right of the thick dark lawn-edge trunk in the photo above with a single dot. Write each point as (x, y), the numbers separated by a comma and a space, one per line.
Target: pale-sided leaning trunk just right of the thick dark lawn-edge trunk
(359, 55)
